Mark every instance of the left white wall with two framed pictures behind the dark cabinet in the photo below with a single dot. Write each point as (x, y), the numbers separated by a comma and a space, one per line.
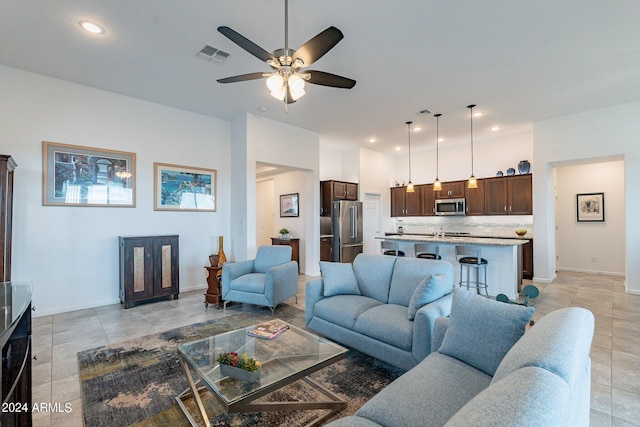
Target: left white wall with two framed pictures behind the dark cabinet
(71, 253)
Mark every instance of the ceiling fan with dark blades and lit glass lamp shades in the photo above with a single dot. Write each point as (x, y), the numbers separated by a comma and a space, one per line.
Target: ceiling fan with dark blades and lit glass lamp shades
(287, 78)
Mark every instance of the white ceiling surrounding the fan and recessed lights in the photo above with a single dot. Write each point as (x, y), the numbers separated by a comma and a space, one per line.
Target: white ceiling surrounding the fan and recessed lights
(519, 61)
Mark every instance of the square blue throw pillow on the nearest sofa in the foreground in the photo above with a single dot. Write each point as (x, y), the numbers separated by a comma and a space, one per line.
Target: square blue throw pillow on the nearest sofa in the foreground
(481, 331)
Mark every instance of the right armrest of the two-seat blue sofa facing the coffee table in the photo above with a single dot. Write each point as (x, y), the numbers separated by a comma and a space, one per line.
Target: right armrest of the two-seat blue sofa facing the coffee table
(424, 322)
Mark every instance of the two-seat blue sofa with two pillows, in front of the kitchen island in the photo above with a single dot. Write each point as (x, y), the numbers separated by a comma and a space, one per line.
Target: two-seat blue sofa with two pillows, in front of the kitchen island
(383, 306)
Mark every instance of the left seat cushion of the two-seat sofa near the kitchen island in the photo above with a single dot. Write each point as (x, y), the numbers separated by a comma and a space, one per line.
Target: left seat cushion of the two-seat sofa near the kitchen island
(343, 310)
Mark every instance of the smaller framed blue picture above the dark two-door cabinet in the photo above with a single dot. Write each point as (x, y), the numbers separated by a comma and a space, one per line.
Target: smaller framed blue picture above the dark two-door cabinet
(184, 188)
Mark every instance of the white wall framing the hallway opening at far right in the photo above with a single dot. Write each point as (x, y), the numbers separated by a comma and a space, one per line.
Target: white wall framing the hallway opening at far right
(593, 135)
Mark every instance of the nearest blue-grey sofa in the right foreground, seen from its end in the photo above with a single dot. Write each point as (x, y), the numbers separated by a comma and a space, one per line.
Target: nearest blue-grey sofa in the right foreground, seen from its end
(543, 379)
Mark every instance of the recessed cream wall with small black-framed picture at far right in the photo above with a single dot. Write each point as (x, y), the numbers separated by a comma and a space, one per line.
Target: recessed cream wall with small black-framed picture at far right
(591, 246)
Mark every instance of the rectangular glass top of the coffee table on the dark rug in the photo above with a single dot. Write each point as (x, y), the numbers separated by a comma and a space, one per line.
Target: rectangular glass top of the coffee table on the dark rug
(293, 354)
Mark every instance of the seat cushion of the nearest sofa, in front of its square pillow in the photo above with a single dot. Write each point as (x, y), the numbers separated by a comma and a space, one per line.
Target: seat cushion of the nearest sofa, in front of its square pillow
(427, 395)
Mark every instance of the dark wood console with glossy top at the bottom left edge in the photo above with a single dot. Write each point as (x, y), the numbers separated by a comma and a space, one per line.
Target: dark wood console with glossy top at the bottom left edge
(15, 341)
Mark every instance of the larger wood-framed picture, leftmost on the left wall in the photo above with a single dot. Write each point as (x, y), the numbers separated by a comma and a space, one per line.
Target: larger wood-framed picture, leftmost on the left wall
(83, 176)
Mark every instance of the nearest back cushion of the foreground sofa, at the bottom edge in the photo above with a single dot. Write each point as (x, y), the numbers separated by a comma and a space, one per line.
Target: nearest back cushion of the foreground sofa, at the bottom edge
(529, 397)
